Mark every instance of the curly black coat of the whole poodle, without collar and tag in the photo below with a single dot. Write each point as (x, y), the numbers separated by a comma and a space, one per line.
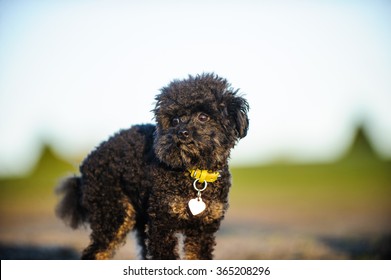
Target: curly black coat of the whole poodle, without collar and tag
(138, 180)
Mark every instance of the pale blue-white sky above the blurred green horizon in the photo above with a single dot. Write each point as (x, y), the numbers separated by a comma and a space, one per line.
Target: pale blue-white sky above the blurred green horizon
(72, 73)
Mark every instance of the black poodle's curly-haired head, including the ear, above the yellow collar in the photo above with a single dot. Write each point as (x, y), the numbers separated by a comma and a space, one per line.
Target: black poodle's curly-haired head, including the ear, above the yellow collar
(199, 120)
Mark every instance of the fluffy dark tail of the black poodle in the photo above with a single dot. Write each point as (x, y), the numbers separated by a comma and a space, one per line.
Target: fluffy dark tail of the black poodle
(70, 208)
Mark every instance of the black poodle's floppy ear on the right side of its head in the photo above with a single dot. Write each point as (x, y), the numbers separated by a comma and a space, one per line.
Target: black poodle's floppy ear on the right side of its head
(235, 108)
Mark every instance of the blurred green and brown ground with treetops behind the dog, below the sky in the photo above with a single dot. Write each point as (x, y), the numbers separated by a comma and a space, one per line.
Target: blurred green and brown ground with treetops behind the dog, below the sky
(280, 211)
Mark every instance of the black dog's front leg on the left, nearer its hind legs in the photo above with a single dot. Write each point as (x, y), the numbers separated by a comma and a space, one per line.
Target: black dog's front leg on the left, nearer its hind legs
(162, 244)
